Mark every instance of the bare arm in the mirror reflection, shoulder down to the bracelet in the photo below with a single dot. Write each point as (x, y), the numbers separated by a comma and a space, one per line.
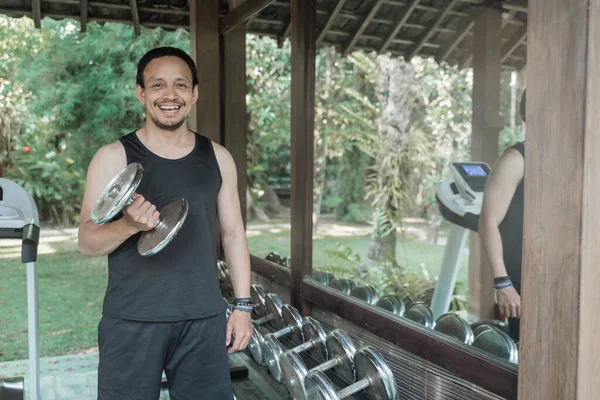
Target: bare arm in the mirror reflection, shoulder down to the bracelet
(498, 193)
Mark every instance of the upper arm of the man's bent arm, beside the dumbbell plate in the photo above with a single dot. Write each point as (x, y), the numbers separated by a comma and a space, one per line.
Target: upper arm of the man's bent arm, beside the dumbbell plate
(105, 165)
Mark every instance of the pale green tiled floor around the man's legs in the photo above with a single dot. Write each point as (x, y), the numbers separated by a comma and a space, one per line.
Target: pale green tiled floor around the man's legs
(74, 377)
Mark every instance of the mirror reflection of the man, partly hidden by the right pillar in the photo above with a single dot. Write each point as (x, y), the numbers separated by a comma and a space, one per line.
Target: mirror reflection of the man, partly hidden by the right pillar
(501, 228)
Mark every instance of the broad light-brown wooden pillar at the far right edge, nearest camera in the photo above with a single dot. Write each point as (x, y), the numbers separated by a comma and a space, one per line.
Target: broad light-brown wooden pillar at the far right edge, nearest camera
(559, 345)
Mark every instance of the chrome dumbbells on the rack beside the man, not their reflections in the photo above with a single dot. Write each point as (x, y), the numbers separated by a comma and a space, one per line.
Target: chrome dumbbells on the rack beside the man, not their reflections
(364, 369)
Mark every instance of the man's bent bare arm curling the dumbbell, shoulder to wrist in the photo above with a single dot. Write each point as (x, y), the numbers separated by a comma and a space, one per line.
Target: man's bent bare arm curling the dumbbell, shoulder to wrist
(98, 240)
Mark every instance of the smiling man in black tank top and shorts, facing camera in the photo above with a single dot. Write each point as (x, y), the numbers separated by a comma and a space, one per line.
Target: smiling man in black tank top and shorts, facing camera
(166, 311)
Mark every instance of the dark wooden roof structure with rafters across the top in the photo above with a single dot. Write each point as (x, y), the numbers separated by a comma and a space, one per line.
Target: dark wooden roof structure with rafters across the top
(429, 28)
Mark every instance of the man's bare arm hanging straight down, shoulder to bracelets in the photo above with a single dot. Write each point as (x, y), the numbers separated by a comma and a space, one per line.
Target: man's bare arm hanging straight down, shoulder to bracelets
(232, 225)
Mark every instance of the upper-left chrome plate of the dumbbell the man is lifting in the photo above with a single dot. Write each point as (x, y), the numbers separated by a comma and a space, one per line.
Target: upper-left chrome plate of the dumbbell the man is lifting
(117, 194)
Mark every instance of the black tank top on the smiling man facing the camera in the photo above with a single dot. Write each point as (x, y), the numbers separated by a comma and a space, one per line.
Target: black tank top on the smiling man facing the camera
(179, 282)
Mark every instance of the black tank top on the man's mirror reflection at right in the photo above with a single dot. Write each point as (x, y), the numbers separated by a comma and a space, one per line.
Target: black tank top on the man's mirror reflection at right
(511, 229)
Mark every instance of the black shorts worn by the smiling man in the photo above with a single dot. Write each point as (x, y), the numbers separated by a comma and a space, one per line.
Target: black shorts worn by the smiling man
(193, 355)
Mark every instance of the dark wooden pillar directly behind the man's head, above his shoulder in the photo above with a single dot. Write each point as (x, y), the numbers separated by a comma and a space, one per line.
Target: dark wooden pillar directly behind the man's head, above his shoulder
(206, 42)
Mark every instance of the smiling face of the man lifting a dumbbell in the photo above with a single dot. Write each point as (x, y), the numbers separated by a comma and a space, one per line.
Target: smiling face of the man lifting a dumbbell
(168, 92)
